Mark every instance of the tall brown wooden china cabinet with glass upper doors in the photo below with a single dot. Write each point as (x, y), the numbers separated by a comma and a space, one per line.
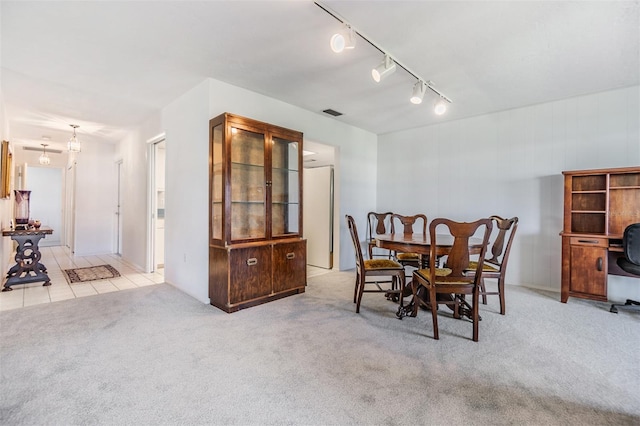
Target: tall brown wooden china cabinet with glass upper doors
(256, 250)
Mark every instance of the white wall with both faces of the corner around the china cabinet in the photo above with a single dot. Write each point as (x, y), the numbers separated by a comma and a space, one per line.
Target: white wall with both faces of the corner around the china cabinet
(187, 134)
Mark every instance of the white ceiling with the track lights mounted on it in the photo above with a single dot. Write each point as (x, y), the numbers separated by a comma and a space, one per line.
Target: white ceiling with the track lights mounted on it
(110, 65)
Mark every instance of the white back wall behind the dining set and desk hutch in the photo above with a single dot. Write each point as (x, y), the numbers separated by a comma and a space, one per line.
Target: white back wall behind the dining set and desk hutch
(510, 164)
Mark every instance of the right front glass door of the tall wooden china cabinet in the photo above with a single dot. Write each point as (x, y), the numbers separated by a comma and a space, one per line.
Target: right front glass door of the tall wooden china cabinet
(285, 187)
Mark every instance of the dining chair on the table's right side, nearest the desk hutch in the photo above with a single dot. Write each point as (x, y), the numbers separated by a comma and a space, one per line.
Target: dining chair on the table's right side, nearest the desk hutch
(496, 266)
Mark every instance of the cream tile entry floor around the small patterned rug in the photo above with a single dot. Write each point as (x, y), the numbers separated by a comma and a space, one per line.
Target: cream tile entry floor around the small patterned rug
(58, 258)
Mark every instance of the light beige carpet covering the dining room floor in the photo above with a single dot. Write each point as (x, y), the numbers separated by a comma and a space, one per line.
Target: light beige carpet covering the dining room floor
(156, 356)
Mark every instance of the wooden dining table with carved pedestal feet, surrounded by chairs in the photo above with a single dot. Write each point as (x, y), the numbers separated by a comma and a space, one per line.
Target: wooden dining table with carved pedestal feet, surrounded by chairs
(421, 244)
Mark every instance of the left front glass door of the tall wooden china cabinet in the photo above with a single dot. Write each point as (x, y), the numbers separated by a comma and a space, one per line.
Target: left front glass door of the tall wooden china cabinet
(248, 195)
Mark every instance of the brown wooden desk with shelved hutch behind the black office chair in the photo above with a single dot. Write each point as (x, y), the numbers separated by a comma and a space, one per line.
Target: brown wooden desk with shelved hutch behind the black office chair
(598, 206)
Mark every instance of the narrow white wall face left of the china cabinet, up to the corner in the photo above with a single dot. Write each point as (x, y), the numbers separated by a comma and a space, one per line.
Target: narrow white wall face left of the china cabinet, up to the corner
(186, 123)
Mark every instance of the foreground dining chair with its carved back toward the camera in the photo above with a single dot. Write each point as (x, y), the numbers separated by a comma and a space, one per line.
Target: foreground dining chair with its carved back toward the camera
(453, 279)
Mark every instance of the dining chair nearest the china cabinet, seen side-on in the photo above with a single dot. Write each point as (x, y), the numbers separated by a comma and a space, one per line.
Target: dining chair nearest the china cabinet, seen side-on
(374, 268)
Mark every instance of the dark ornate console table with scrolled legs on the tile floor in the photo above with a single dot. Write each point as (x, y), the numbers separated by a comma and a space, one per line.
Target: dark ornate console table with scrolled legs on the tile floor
(28, 268)
